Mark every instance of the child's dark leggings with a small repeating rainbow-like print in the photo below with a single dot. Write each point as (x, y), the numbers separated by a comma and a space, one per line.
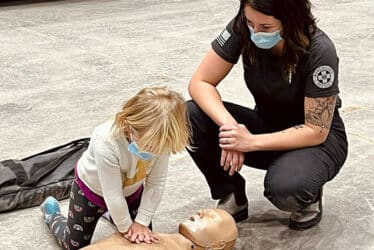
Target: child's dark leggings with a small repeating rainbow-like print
(75, 231)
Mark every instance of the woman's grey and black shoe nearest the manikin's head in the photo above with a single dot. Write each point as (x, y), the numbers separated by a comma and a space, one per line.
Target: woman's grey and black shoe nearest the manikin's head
(239, 212)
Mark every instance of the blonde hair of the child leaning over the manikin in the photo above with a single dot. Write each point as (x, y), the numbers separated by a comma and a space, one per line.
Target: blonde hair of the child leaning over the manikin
(159, 116)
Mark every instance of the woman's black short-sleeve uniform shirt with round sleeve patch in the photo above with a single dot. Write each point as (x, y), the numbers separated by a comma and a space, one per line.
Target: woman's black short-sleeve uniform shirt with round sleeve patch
(277, 100)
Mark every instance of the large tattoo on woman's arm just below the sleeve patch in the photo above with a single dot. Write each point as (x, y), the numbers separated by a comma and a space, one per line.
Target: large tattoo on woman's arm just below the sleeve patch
(319, 111)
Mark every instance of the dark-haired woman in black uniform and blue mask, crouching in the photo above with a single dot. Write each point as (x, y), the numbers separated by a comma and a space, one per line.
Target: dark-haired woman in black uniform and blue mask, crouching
(294, 132)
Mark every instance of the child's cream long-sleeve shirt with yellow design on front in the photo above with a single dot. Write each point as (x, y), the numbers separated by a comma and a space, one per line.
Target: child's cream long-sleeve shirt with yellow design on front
(112, 172)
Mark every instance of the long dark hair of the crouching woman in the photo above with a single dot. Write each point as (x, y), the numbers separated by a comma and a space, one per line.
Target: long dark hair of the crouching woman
(298, 27)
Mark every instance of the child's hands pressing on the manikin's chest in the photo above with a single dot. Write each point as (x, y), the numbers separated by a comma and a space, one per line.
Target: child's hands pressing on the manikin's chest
(138, 233)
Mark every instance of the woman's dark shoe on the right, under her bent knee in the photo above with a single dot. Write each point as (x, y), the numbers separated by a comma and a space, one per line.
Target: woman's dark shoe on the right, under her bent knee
(307, 218)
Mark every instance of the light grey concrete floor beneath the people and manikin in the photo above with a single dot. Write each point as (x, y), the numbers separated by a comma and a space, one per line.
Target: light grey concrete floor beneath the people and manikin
(65, 66)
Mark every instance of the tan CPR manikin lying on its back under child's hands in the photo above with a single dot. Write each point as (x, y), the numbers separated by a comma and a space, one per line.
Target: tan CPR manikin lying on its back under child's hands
(208, 229)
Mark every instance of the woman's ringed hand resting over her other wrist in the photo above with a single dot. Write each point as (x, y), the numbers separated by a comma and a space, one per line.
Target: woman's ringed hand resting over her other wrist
(236, 137)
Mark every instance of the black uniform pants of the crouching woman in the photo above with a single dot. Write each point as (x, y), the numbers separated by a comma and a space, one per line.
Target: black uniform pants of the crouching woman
(293, 178)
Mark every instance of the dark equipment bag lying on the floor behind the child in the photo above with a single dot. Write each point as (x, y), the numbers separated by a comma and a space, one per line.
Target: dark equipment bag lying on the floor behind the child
(27, 182)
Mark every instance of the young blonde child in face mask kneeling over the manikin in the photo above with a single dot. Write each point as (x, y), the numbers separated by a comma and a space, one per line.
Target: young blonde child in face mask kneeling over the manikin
(123, 171)
